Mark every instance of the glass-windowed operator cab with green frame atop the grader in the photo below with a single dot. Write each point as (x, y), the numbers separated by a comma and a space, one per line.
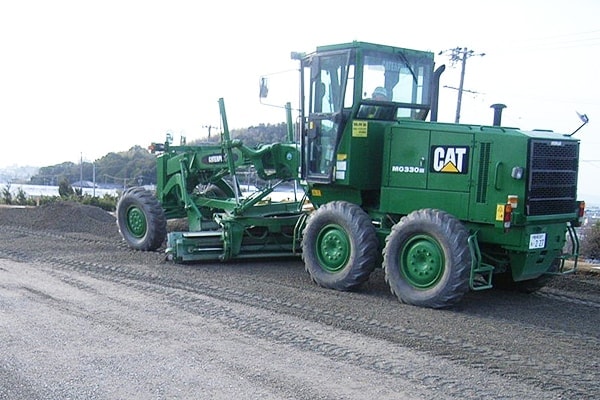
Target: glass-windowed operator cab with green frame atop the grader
(336, 86)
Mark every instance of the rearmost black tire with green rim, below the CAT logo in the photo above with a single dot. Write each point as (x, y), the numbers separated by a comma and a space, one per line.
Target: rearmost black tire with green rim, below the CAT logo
(426, 259)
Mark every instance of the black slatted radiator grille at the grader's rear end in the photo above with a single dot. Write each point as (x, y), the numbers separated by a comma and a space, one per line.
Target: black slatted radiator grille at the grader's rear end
(552, 177)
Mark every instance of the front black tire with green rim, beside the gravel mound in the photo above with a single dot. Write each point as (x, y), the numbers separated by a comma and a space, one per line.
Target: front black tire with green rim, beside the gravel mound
(141, 219)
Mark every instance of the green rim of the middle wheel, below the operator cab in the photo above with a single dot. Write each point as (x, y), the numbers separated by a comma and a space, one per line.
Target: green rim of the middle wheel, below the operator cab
(333, 248)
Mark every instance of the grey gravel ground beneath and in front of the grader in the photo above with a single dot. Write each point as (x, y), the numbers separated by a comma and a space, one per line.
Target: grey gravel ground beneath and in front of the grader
(85, 317)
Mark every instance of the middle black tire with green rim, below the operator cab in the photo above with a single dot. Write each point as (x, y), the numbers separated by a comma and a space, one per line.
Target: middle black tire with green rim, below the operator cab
(339, 246)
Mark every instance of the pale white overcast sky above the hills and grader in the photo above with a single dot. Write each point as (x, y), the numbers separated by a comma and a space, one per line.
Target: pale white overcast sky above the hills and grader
(80, 79)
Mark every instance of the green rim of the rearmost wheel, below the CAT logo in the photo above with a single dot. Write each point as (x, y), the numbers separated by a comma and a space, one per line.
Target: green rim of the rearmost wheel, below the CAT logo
(422, 262)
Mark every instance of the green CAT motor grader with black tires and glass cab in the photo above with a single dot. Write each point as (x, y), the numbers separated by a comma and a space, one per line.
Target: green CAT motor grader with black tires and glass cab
(443, 208)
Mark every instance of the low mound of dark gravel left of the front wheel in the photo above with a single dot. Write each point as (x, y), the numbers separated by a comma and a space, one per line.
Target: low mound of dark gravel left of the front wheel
(63, 216)
